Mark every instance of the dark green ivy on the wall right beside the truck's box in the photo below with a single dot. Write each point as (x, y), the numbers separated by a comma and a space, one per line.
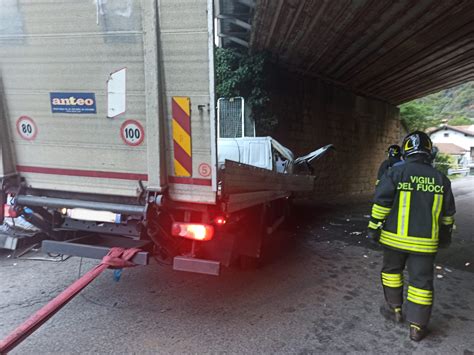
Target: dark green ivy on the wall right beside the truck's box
(241, 74)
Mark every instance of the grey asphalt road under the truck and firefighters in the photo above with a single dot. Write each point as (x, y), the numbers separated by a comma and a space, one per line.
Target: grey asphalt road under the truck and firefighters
(319, 294)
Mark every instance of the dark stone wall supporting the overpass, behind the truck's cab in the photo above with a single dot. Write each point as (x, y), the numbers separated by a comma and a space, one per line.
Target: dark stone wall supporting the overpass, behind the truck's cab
(313, 113)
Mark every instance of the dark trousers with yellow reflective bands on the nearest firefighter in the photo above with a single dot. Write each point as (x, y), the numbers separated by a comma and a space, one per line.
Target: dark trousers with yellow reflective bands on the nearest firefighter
(420, 286)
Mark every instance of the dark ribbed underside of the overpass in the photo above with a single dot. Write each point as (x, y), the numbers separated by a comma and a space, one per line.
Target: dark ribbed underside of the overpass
(391, 50)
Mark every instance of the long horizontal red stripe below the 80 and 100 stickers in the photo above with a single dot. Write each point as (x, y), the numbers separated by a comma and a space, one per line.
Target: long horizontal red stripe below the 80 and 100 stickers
(85, 173)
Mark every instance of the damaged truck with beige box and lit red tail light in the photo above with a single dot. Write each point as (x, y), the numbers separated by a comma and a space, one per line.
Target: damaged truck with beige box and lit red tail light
(109, 136)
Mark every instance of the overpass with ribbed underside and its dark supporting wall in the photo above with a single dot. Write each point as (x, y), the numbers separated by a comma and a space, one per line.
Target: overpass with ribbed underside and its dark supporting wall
(342, 67)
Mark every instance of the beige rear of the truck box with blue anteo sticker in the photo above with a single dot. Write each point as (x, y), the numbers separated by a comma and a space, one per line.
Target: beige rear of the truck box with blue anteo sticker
(89, 89)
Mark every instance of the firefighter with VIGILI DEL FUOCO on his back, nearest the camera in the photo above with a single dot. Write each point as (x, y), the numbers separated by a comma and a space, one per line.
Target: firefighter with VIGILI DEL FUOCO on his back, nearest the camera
(412, 216)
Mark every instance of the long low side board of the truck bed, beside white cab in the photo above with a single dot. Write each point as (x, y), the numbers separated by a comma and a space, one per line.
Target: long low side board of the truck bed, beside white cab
(239, 178)
